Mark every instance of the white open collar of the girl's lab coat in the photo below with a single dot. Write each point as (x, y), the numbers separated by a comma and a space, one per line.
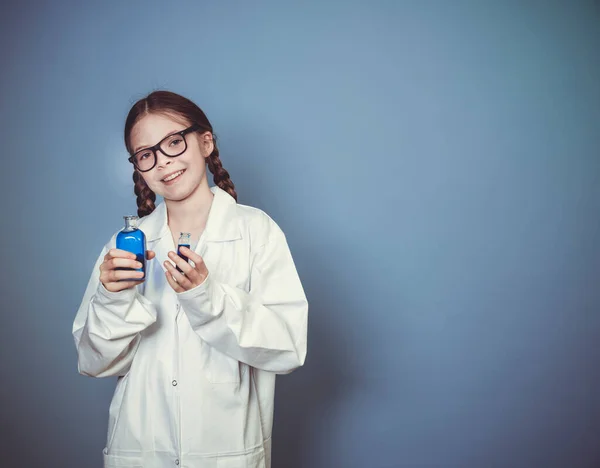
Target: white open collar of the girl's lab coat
(222, 223)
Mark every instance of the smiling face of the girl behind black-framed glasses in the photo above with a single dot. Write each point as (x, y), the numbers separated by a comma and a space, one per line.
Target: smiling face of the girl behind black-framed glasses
(191, 165)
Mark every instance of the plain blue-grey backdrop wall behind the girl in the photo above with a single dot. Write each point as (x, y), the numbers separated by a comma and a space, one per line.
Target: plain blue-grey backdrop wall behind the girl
(434, 165)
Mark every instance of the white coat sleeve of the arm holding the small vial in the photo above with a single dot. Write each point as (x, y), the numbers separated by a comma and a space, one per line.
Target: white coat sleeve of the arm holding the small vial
(266, 327)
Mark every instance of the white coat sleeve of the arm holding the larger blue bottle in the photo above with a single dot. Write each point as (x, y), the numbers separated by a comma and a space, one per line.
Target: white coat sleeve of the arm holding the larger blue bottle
(107, 326)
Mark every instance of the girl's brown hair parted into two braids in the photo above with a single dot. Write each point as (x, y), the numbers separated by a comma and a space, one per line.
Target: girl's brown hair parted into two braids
(167, 102)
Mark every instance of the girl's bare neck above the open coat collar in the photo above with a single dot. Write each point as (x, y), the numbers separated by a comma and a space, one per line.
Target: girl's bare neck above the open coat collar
(190, 214)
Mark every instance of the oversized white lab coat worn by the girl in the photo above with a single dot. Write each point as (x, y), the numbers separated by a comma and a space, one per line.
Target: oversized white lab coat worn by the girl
(196, 370)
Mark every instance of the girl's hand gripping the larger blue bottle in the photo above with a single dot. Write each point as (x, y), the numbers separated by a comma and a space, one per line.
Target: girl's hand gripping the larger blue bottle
(117, 258)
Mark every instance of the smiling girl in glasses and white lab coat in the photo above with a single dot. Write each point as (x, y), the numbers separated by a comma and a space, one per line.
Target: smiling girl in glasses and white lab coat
(195, 351)
